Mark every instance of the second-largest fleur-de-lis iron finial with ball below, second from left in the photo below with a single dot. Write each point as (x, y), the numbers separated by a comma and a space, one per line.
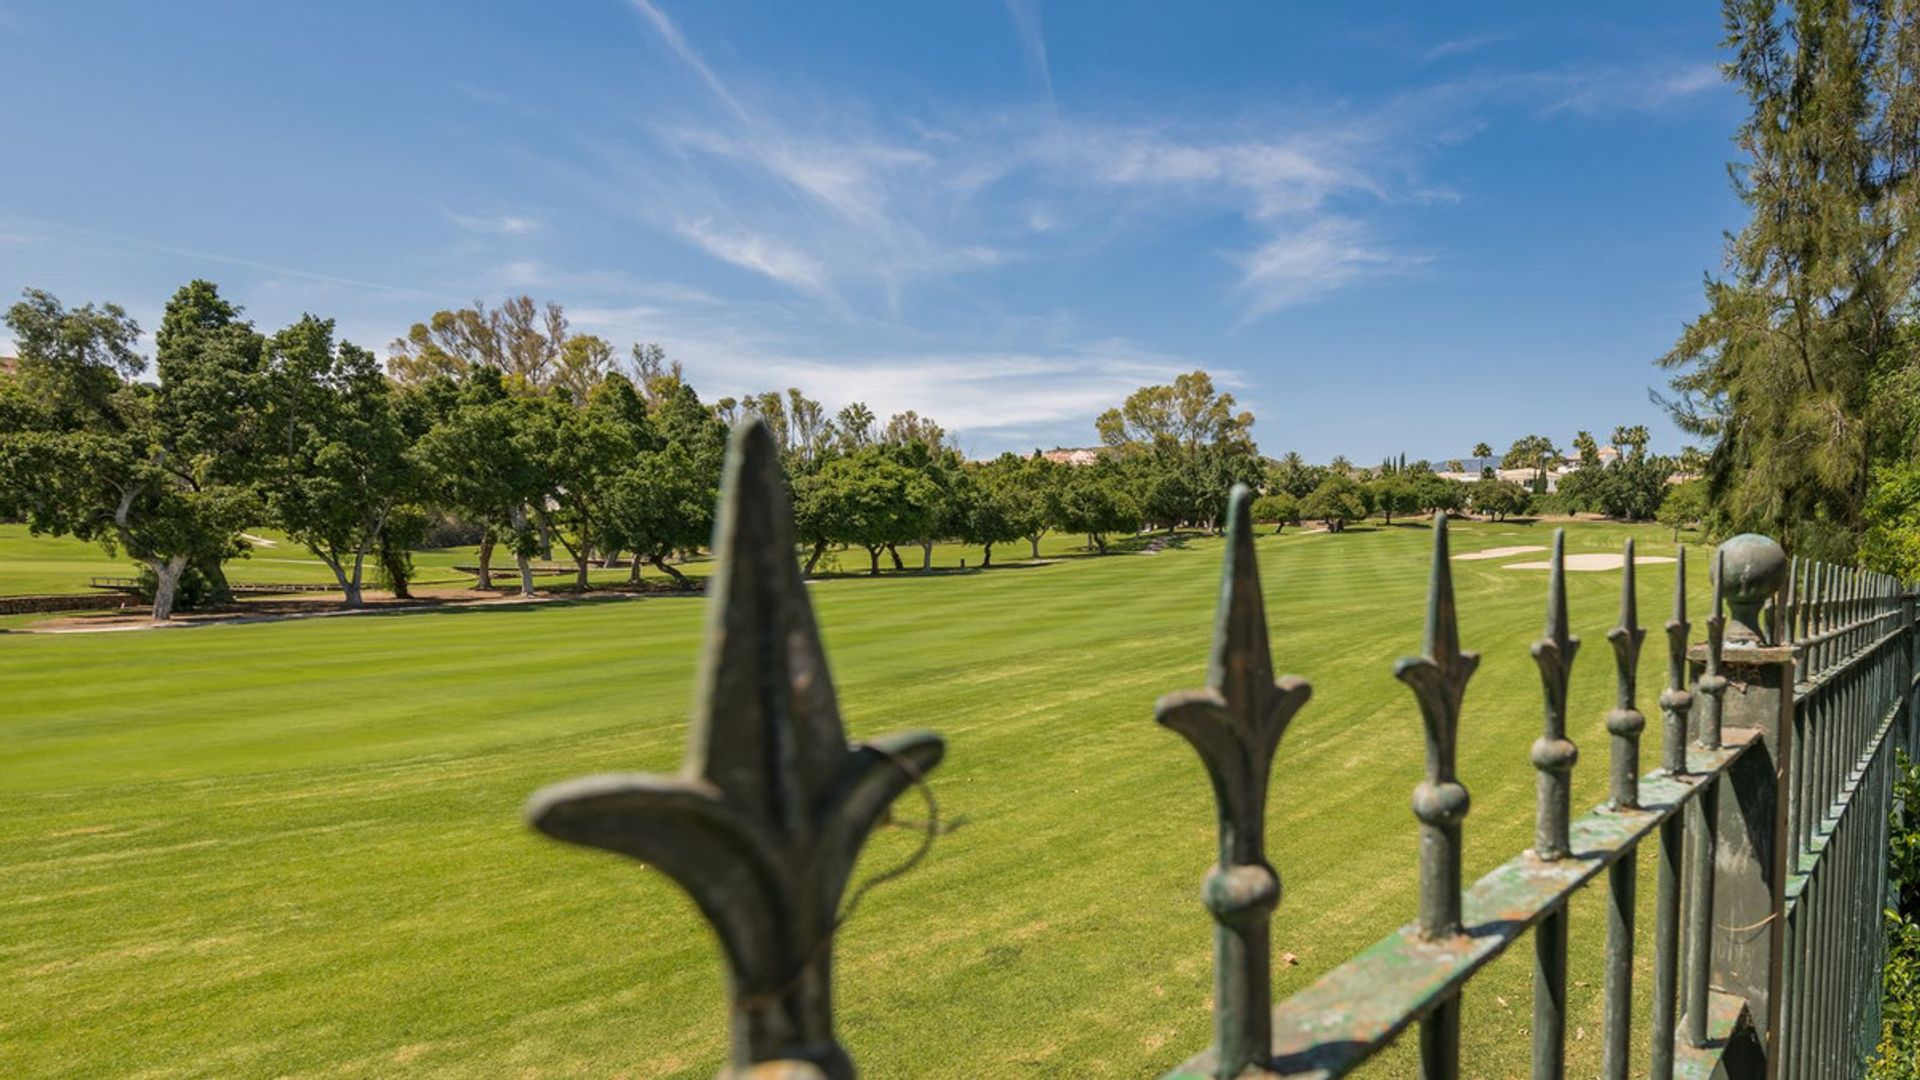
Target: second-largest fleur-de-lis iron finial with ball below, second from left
(1236, 725)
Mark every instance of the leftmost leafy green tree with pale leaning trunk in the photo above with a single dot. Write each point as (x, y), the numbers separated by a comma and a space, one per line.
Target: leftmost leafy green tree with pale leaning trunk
(91, 453)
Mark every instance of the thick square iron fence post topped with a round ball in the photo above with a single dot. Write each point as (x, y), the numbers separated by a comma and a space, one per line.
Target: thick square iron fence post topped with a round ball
(1752, 852)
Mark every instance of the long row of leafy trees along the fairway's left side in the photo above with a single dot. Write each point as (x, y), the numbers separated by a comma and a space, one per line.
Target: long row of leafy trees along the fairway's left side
(529, 439)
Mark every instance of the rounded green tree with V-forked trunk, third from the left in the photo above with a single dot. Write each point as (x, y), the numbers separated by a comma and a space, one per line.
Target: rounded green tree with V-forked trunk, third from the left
(343, 460)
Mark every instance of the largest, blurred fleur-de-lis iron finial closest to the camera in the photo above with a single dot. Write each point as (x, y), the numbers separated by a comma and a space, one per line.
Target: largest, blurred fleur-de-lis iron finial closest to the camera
(769, 814)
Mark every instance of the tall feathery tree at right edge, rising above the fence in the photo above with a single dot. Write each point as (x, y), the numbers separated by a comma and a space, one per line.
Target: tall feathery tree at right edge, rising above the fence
(1792, 370)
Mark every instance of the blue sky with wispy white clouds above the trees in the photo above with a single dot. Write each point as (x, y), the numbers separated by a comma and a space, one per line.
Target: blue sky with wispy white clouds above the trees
(1383, 228)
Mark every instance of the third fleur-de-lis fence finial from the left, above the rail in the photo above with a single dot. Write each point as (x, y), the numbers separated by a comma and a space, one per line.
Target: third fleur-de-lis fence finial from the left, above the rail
(1439, 681)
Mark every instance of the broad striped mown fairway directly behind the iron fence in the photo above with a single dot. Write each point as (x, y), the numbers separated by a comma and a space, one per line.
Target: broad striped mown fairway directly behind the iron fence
(295, 848)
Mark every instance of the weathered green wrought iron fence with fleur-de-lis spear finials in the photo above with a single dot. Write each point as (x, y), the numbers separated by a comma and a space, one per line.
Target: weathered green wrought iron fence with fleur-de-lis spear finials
(1769, 816)
